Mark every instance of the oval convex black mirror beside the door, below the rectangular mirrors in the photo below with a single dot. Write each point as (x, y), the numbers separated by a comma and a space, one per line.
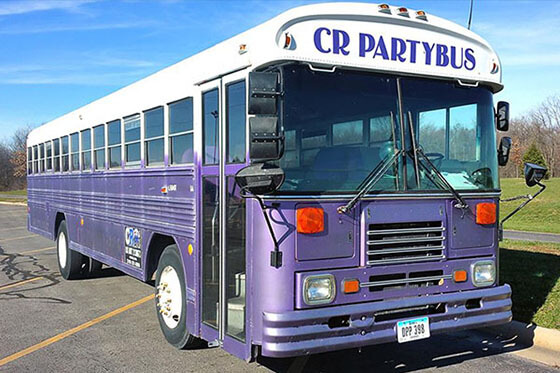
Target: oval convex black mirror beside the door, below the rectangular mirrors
(260, 178)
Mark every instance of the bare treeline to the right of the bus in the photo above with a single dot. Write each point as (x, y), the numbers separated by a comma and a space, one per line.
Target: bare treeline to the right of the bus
(536, 139)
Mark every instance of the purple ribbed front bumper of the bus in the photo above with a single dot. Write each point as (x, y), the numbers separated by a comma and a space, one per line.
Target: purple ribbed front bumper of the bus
(305, 332)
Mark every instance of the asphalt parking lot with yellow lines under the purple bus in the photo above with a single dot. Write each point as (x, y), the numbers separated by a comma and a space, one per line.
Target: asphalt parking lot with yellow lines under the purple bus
(44, 327)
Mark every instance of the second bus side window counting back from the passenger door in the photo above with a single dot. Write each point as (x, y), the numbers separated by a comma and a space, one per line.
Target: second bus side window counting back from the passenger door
(153, 134)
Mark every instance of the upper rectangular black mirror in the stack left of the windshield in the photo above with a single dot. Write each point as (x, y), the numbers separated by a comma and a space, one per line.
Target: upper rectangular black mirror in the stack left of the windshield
(264, 92)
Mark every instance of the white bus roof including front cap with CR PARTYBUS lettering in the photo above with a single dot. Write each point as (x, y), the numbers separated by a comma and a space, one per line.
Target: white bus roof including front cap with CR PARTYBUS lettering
(348, 35)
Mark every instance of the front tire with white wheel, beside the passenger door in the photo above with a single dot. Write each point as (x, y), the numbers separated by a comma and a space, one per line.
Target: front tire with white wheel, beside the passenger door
(171, 302)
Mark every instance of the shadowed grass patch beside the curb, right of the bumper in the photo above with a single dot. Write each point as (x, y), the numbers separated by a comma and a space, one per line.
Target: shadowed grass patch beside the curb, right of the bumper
(533, 271)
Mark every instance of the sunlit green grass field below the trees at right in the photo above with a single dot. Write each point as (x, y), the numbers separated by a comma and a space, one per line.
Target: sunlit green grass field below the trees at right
(540, 215)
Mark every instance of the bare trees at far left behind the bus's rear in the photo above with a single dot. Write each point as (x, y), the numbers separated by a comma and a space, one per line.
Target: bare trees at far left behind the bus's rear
(13, 159)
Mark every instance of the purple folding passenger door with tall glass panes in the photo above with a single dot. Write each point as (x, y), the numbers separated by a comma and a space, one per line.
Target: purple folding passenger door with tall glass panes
(224, 306)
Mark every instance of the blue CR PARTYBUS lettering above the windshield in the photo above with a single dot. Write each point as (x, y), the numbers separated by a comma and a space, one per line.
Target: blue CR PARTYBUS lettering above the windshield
(395, 49)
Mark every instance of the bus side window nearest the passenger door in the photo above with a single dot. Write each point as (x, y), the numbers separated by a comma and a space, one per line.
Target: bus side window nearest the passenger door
(181, 131)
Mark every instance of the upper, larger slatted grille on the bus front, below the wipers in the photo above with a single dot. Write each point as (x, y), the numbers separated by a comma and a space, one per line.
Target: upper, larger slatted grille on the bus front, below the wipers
(405, 242)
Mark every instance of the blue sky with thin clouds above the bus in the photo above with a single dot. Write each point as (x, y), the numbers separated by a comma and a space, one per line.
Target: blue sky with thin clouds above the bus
(56, 56)
